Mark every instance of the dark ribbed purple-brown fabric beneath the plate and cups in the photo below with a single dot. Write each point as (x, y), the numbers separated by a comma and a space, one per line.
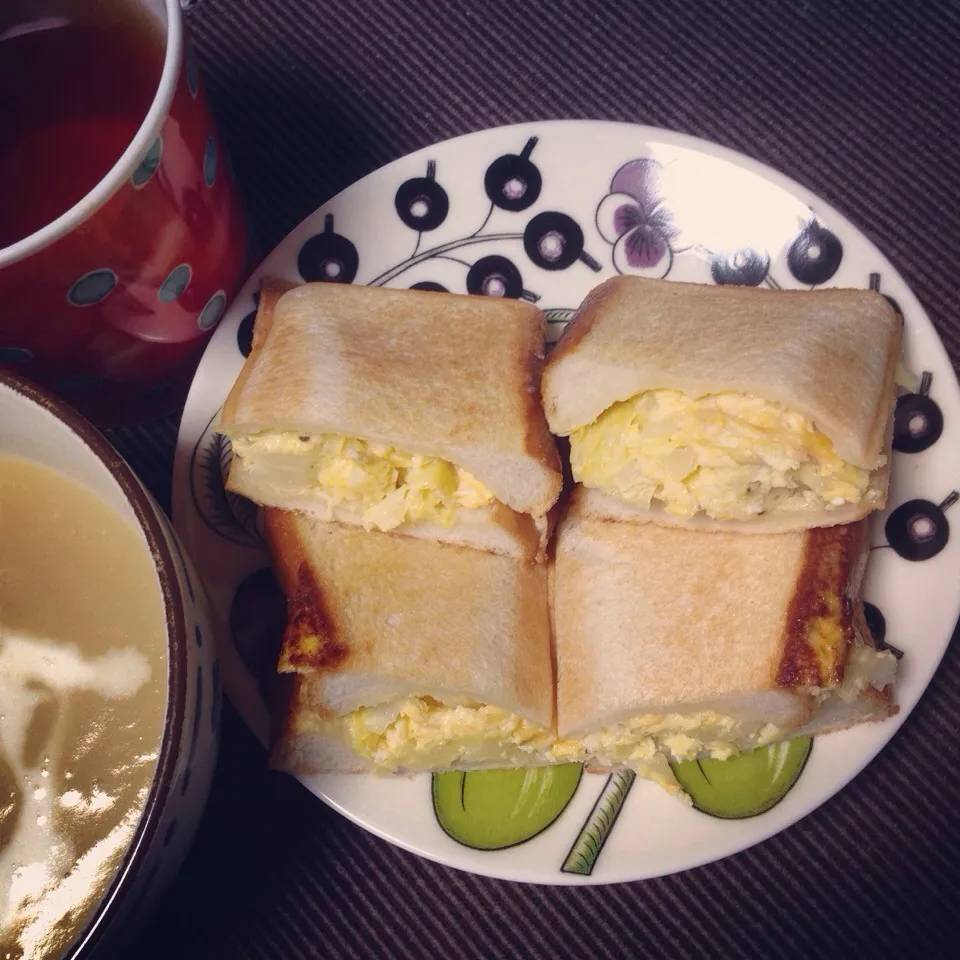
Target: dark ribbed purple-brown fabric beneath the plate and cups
(859, 102)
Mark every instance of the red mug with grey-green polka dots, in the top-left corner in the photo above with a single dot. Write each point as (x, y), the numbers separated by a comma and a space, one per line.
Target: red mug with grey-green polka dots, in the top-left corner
(110, 303)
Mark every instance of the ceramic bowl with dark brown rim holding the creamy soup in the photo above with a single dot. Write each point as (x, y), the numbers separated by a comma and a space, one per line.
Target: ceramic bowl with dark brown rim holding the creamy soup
(36, 426)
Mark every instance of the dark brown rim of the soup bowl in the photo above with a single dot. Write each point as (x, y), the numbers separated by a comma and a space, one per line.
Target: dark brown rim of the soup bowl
(164, 562)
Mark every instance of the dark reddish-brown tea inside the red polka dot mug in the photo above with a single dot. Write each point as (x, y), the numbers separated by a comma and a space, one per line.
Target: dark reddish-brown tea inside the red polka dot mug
(77, 78)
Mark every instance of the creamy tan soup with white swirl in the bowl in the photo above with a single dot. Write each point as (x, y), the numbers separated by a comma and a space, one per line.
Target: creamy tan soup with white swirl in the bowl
(83, 676)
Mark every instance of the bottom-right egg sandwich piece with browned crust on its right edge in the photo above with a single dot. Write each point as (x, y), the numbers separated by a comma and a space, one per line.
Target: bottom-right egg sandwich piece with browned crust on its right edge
(674, 644)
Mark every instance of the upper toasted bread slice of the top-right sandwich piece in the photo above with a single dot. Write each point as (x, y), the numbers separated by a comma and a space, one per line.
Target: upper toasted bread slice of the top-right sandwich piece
(829, 354)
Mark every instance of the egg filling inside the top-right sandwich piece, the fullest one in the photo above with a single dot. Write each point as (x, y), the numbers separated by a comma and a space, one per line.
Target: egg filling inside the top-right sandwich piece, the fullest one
(729, 455)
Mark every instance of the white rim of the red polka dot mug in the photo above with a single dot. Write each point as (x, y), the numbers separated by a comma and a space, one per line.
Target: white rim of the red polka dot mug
(124, 166)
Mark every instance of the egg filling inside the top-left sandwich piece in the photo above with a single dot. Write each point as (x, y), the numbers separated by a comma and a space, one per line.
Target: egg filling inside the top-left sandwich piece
(386, 486)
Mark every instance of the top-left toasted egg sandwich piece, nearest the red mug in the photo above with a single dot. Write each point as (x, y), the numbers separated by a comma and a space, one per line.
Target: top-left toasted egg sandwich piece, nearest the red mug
(397, 410)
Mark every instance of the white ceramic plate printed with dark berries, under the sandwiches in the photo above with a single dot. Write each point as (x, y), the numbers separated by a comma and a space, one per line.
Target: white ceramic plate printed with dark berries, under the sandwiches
(546, 211)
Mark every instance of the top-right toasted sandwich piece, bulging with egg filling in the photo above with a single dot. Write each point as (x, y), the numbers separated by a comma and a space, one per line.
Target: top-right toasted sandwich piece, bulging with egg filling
(722, 406)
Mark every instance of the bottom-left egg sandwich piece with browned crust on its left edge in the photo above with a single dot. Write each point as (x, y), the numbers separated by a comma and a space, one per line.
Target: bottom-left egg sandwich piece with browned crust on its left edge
(405, 655)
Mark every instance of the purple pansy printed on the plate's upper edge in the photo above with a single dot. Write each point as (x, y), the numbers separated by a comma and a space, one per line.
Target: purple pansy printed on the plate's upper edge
(632, 218)
